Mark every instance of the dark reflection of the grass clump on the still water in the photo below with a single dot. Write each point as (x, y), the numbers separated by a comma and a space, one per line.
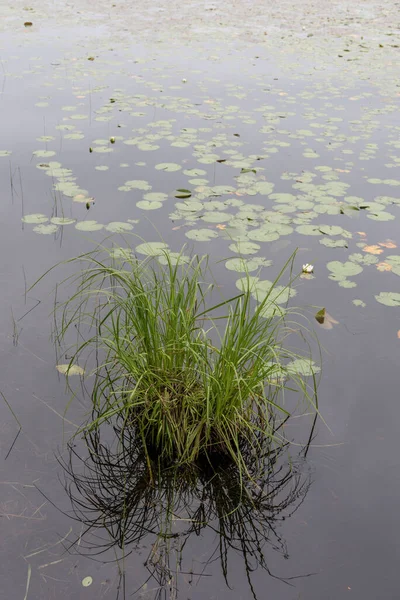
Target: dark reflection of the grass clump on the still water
(122, 502)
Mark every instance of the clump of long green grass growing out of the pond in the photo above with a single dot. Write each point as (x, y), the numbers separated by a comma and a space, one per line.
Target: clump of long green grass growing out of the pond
(194, 378)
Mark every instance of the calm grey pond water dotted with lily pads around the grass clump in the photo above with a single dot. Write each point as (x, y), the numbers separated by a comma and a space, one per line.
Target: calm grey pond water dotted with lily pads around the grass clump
(281, 124)
